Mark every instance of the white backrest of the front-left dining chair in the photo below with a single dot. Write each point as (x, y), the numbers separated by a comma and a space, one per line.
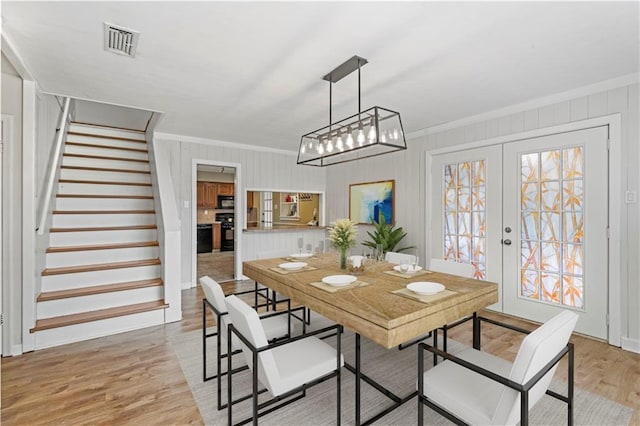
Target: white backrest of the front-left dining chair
(247, 322)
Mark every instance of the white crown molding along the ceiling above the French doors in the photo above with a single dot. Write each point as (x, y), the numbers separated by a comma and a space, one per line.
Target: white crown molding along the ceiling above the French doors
(602, 86)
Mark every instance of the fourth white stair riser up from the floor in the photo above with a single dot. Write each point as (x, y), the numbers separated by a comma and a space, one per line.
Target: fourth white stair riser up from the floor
(91, 257)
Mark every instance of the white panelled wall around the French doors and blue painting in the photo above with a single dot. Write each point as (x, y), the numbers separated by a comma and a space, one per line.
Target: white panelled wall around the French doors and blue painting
(408, 169)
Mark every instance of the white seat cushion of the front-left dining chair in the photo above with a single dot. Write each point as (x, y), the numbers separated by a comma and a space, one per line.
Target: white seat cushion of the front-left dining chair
(303, 361)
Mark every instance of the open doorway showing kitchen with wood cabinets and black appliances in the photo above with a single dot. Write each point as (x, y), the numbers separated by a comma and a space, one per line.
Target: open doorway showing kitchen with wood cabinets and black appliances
(215, 221)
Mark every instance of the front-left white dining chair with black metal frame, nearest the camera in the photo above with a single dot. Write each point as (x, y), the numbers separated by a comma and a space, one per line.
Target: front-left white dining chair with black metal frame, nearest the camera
(286, 368)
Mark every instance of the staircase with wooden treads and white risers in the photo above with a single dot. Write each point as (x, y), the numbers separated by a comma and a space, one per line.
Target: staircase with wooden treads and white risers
(102, 273)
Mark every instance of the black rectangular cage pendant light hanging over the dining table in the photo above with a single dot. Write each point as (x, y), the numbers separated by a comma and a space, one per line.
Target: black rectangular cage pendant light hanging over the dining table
(368, 133)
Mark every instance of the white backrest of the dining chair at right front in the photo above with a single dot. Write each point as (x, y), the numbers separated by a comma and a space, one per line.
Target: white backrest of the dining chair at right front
(536, 350)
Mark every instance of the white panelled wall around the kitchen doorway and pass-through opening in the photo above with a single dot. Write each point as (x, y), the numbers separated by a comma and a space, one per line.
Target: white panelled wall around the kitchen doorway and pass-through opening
(259, 169)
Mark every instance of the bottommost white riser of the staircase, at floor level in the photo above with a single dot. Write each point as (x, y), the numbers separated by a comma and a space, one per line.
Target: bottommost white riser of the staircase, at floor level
(90, 330)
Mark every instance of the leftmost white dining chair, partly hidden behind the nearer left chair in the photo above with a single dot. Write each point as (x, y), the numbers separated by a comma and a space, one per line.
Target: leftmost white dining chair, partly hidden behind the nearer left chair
(276, 325)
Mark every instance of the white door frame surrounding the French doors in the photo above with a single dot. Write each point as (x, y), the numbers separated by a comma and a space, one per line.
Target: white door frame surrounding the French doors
(617, 215)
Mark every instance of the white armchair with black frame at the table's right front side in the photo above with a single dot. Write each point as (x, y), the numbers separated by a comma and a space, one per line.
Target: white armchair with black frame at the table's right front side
(477, 388)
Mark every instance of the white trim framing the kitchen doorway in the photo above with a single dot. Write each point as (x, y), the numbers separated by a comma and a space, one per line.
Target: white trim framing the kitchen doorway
(238, 208)
